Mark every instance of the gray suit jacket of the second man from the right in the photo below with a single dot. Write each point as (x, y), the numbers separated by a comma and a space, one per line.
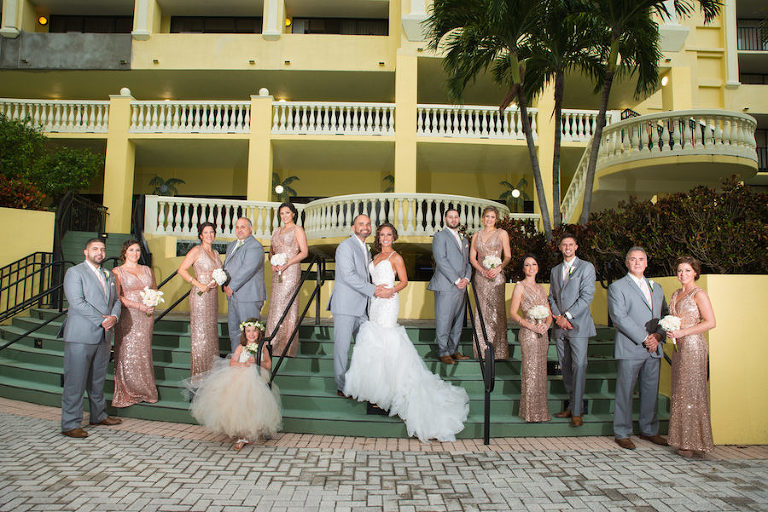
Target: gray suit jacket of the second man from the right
(574, 296)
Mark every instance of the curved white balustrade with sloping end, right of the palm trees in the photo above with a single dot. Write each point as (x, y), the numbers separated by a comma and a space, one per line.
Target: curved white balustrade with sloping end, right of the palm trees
(677, 133)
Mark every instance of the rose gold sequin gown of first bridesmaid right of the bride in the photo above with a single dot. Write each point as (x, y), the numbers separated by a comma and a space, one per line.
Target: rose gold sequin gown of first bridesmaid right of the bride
(491, 297)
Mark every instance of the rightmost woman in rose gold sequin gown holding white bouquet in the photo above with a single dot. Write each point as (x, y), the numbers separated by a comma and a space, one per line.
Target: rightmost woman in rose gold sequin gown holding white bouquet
(690, 428)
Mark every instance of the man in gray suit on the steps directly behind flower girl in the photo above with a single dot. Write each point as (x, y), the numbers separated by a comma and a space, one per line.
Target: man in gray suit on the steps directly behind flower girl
(245, 287)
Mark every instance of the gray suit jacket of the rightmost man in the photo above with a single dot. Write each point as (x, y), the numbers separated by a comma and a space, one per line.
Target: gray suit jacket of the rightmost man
(634, 318)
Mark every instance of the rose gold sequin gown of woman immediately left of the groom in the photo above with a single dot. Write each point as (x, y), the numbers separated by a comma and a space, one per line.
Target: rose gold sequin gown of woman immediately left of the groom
(284, 242)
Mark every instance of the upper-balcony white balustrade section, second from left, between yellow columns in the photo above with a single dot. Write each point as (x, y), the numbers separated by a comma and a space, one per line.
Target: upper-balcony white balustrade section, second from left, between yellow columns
(190, 116)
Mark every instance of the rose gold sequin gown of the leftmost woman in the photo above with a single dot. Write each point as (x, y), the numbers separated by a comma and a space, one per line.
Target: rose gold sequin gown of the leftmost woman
(134, 374)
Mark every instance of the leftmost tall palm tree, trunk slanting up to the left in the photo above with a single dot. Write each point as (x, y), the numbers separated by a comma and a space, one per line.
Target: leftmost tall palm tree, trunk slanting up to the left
(490, 34)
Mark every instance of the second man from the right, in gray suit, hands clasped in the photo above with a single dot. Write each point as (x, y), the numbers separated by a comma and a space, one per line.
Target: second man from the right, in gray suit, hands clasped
(571, 289)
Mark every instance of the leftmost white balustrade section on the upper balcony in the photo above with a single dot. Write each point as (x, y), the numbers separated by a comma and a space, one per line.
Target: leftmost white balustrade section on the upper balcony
(80, 116)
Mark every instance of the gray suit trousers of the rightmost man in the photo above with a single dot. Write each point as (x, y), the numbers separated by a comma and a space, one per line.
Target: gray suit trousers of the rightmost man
(628, 371)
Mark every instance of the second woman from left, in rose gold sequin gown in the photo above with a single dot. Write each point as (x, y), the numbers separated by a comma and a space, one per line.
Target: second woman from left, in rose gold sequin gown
(203, 300)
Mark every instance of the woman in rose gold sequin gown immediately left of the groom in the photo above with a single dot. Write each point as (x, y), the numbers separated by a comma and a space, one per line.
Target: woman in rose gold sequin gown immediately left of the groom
(291, 241)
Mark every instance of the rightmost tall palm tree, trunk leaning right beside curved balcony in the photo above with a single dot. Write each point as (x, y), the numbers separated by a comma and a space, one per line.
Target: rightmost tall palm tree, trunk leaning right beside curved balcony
(631, 45)
